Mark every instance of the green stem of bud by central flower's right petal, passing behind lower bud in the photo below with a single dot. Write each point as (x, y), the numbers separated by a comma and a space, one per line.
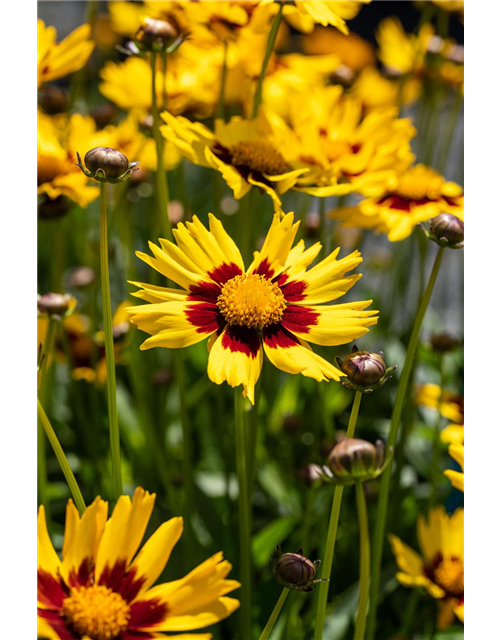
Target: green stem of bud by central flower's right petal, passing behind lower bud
(332, 534)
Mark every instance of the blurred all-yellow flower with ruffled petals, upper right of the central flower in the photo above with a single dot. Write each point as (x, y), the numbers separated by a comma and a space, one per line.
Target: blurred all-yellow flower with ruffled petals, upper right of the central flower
(345, 150)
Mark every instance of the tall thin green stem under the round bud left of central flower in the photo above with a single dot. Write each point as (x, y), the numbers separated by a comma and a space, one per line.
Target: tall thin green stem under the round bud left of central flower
(114, 433)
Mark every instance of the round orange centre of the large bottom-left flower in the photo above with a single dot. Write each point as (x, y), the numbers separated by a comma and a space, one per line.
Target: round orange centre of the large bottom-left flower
(96, 612)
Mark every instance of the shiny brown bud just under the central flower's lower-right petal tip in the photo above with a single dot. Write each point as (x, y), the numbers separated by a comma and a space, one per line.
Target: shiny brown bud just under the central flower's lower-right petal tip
(365, 370)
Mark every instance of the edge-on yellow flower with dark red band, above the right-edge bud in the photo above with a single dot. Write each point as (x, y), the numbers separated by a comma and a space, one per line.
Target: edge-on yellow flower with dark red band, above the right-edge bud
(403, 202)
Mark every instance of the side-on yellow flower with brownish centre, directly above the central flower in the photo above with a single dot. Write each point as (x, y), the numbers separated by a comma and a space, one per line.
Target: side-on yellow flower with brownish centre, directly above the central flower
(246, 152)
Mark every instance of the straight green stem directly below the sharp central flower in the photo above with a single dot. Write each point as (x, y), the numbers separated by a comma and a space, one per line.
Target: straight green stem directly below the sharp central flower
(243, 517)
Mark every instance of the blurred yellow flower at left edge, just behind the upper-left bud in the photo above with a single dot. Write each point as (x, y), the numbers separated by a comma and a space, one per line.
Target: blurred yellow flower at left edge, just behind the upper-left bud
(58, 140)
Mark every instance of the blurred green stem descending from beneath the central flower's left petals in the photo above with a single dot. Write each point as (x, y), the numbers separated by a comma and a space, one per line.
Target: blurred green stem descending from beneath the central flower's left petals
(187, 457)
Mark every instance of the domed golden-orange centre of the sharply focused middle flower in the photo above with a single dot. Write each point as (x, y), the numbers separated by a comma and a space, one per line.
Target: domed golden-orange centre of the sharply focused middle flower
(251, 301)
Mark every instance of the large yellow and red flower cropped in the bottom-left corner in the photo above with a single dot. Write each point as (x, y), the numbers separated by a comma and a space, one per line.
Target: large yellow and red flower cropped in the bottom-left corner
(102, 589)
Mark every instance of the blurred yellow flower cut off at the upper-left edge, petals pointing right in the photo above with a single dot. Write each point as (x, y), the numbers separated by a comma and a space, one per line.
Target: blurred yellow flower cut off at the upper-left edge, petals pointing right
(56, 60)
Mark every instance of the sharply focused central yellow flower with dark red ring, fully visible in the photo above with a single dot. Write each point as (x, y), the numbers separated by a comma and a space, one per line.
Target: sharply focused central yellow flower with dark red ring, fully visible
(275, 303)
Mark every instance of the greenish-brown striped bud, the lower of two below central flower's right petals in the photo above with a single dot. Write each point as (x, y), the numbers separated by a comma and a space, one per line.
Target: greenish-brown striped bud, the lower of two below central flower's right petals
(354, 460)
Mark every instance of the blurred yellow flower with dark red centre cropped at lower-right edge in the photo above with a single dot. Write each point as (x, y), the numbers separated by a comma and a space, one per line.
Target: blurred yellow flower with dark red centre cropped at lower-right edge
(441, 570)
